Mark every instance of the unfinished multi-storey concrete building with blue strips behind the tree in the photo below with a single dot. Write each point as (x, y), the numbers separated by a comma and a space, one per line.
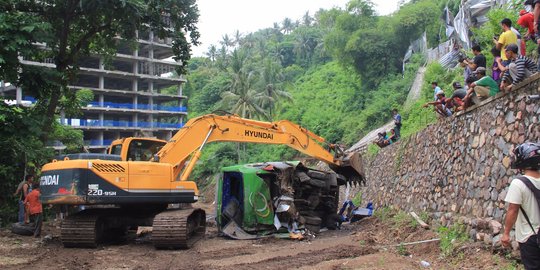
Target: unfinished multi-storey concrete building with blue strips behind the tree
(135, 93)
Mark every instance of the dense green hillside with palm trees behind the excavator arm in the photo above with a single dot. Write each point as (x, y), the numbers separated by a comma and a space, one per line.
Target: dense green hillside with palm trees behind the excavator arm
(338, 73)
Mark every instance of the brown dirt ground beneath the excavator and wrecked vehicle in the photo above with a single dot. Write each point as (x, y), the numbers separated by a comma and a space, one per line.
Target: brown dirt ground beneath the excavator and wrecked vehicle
(367, 244)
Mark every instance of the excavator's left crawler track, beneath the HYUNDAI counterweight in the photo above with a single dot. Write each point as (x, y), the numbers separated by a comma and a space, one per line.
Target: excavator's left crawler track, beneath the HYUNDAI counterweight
(81, 231)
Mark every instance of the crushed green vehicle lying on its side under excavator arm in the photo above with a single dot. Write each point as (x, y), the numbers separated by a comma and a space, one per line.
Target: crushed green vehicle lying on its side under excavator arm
(256, 200)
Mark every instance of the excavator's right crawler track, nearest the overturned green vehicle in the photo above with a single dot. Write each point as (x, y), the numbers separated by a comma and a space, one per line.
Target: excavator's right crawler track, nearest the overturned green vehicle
(178, 229)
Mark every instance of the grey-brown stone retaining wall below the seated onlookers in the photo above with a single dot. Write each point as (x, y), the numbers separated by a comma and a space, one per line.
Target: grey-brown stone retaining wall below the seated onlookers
(461, 165)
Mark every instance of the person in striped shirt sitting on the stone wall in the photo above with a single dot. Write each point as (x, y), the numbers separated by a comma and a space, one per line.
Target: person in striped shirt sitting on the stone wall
(520, 68)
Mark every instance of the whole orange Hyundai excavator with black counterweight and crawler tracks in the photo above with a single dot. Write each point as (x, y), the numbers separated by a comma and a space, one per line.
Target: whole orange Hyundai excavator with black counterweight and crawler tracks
(140, 178)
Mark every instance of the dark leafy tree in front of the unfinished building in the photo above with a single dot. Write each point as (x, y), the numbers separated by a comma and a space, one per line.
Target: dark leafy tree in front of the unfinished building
(60, 32)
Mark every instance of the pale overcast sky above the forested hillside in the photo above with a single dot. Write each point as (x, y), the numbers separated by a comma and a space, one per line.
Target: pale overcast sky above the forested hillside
(218, 17)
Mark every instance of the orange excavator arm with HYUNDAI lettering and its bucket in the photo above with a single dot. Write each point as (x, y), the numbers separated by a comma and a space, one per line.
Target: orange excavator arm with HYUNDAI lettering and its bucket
(190, 140)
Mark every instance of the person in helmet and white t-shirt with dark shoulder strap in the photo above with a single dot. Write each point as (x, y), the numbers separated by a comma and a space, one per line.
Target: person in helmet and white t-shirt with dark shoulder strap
(523, 200)
